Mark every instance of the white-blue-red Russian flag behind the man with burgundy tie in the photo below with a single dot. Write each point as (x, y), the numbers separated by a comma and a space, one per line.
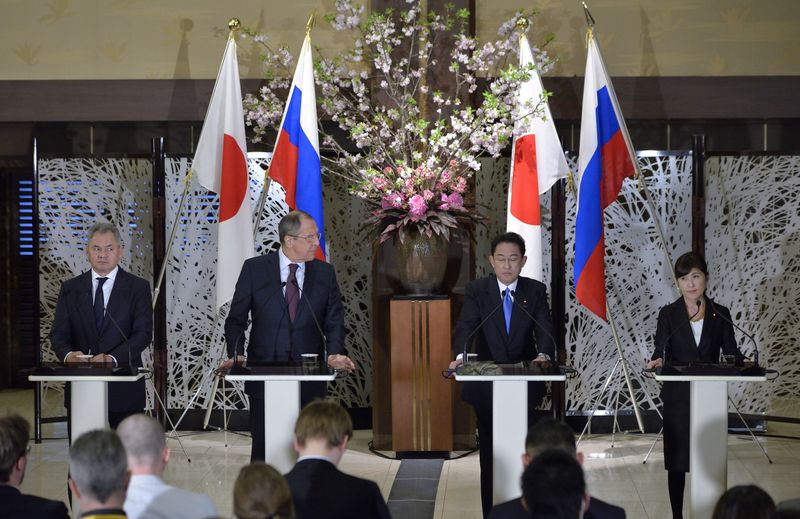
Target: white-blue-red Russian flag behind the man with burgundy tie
(295, 162)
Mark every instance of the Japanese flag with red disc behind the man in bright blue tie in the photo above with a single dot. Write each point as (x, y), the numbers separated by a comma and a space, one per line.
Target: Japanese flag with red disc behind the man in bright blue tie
(538, 164)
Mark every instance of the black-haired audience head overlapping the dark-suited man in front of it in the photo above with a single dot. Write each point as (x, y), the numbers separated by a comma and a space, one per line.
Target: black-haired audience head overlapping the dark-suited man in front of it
(553, 486)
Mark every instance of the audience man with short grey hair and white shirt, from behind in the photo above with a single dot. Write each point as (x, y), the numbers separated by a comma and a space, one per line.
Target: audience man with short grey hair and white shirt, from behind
(148, 495)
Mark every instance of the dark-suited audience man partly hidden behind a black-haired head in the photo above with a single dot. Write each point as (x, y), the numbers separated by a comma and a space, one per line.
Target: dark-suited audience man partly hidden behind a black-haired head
(549, 434)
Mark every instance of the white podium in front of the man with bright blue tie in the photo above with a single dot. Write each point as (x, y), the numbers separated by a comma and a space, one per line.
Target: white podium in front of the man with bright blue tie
(509, 423)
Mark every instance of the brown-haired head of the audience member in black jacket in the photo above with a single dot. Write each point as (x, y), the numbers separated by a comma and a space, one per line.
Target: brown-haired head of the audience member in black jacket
(323, 428)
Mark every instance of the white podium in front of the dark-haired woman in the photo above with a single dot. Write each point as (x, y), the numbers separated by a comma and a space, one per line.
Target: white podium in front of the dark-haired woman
(708, 417)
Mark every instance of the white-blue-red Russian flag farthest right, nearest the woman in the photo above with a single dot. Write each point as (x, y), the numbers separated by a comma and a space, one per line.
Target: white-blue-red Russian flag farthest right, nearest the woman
(605, 160)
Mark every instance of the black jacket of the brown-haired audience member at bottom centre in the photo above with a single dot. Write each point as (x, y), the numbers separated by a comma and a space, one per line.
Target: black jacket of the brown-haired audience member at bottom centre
(319, 489)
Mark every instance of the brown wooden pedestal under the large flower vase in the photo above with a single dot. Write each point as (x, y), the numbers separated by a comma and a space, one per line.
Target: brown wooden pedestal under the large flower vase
(422, 418)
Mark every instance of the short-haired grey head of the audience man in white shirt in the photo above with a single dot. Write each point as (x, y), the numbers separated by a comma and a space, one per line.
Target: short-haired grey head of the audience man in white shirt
(145, 444)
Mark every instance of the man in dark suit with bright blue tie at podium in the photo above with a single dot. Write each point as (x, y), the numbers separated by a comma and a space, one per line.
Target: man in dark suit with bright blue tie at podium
(517, 328)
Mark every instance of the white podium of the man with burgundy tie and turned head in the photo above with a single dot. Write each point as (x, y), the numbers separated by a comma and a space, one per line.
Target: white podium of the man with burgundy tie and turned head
(281, 407)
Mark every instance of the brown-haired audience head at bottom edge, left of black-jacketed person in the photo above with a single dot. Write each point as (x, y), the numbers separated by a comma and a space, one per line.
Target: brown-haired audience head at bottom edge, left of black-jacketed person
(261, 491)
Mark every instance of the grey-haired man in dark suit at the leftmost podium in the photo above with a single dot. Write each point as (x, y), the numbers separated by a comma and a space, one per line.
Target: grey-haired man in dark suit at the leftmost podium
(105, 315)
